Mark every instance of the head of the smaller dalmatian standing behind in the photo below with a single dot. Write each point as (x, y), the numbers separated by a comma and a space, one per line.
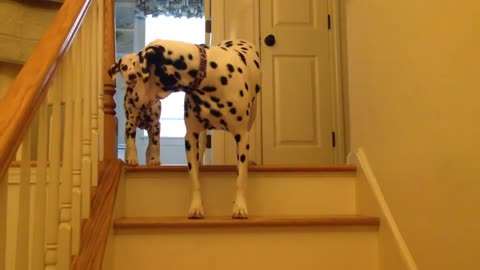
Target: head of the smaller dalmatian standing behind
(128, 67)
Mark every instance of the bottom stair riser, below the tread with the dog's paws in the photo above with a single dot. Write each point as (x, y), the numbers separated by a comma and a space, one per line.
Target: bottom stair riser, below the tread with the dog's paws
(253, 248)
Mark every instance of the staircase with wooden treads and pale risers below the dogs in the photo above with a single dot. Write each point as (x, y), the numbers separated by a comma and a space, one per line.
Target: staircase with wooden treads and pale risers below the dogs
(299, 218)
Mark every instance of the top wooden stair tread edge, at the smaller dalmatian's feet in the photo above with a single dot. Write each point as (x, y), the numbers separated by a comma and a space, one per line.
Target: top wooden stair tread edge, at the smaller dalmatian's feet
(251, 168)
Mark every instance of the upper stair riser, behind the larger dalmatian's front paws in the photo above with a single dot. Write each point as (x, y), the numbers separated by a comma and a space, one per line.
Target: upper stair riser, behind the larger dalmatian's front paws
(168, 194)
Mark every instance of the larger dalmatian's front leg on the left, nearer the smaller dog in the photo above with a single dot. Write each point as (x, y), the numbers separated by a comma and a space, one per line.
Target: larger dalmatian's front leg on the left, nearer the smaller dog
(191, 150)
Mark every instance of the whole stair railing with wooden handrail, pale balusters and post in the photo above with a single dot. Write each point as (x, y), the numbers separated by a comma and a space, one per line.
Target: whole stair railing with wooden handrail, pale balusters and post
(53, 121)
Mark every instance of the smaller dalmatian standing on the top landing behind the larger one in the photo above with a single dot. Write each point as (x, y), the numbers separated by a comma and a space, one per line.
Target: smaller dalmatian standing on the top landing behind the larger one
(142, 110)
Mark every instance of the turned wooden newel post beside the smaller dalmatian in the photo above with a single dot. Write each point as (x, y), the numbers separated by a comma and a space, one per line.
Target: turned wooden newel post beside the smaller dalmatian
(110, 123)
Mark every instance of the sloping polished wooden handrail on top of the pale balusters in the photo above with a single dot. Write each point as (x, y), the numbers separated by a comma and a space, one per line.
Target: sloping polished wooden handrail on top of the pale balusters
(30, 87)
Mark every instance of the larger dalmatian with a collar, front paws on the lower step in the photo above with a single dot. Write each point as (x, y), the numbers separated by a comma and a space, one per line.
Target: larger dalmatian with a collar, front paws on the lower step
(221, 85)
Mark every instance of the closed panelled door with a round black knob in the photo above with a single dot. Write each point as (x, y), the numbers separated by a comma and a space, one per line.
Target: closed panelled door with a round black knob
(297, 119)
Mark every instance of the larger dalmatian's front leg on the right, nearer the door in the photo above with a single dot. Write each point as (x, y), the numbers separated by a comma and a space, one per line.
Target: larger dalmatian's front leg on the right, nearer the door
(240, 204)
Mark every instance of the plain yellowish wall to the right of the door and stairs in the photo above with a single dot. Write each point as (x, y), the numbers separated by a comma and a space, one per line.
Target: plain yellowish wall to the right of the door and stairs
(414, 88)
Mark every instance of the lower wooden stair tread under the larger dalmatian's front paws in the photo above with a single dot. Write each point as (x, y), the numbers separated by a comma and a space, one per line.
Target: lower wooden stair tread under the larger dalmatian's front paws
(228, 222)
